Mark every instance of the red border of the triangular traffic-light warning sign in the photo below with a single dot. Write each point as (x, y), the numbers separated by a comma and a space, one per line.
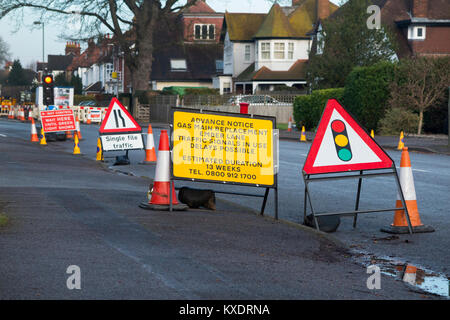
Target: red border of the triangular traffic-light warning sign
(308, 167)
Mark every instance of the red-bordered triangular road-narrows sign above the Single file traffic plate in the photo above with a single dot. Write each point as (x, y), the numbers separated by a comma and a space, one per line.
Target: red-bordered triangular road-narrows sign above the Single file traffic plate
(118, 120)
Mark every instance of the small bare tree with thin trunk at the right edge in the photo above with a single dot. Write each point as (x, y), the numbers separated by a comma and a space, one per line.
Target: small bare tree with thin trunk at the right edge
(420, 83)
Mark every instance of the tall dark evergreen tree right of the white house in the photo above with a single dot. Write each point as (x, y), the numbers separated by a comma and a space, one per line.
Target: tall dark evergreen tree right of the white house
(345, 41)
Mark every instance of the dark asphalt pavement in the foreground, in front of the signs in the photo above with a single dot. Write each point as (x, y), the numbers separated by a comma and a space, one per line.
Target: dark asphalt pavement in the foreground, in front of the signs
(69, 210)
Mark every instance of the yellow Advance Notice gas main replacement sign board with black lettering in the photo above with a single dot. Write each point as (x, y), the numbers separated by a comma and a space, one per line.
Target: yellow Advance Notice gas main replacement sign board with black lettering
(223, 148)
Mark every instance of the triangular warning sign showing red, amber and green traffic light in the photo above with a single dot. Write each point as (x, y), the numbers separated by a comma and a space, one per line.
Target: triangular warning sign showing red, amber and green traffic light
(341, 144)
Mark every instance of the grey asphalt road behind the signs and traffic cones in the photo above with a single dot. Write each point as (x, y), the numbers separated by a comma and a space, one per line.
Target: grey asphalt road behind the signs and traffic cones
(432, 183)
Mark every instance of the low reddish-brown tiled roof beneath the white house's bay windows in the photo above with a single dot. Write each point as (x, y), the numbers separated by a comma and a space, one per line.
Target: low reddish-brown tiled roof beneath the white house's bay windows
(296, 72)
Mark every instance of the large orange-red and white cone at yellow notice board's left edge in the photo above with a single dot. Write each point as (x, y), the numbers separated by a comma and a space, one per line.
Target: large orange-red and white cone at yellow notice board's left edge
(160, 199)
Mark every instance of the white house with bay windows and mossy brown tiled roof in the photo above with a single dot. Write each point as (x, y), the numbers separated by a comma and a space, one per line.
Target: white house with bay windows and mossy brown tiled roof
(262, 51)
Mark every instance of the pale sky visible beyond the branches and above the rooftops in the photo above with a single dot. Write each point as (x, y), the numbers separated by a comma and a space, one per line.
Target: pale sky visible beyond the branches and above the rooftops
(25, 39)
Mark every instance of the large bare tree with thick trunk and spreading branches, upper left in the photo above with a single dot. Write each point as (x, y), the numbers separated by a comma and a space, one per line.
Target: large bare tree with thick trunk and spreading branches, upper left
(132, 23)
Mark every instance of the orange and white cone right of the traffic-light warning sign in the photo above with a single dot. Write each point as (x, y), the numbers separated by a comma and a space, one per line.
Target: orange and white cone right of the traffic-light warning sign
(400, 224)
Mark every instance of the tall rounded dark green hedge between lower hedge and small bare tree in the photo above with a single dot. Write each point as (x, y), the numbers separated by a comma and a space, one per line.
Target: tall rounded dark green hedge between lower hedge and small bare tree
(367, 93)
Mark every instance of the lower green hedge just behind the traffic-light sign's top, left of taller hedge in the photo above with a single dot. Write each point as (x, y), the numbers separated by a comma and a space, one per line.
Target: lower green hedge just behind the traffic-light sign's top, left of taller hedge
(309, 108)
